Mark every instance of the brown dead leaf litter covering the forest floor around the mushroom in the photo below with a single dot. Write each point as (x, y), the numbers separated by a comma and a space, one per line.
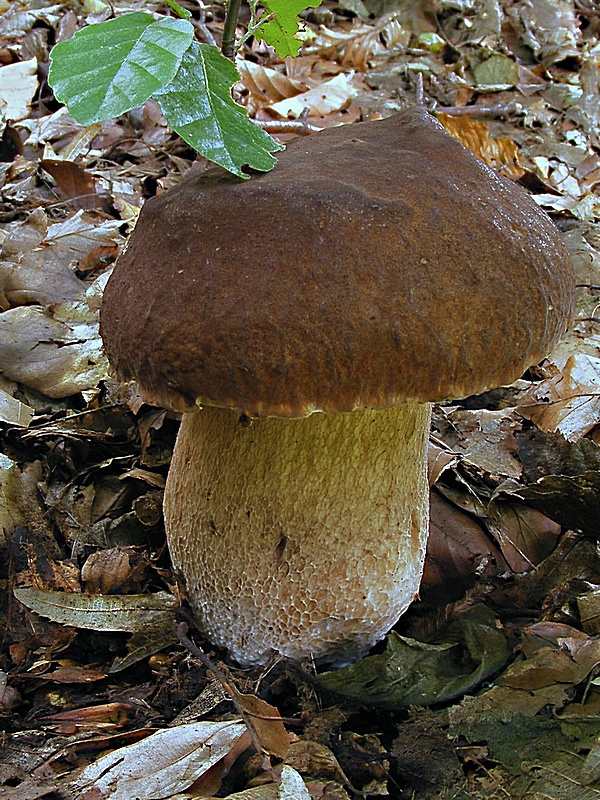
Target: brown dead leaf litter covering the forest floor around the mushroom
(489, 685)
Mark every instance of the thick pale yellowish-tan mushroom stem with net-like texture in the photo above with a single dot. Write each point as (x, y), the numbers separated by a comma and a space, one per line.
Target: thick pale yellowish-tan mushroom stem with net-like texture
(304, 538)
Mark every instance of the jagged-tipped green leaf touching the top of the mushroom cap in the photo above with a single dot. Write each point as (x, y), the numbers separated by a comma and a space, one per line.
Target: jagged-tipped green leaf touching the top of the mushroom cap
(198, 105)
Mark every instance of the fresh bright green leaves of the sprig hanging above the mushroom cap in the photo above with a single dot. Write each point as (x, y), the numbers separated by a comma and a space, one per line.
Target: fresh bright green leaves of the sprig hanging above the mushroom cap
(109, 68)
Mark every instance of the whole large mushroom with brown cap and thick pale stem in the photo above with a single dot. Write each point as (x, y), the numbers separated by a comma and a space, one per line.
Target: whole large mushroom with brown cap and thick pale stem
(304, 321)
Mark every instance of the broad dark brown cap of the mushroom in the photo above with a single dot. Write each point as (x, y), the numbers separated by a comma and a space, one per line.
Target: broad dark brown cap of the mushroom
(378, 262)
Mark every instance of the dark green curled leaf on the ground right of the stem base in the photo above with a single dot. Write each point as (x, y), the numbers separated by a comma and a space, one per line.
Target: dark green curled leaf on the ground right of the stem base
(415, 673)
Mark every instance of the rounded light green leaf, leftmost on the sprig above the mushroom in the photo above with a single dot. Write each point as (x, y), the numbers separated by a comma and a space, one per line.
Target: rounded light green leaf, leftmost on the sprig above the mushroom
(112, 67)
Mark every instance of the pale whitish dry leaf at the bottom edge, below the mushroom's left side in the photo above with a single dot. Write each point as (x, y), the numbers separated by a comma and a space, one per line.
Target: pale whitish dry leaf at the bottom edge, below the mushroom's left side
(161, 765)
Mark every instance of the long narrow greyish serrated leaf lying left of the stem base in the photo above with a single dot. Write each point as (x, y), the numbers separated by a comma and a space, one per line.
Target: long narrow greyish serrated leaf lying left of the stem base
(128, 613)
